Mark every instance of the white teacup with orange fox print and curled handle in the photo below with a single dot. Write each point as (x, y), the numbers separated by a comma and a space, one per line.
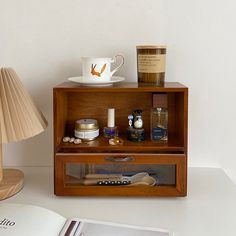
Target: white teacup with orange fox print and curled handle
(99, 69)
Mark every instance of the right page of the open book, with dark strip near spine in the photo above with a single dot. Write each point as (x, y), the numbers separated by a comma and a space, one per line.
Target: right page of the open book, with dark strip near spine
(75, 227)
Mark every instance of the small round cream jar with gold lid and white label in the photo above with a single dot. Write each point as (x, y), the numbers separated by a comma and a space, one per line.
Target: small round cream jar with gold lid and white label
(86, 129)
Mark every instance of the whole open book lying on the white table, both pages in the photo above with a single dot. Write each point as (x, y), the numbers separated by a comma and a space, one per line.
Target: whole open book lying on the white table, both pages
(27, 220)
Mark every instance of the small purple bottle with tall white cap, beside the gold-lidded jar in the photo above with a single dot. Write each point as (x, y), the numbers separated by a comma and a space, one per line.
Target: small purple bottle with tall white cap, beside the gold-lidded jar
(111, 130)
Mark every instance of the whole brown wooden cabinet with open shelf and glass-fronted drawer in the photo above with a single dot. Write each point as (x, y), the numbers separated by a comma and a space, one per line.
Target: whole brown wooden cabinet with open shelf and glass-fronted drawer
(166, 162)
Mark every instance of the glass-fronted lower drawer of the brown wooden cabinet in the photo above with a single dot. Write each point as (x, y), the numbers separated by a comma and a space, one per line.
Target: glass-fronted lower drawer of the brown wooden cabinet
(168, 170)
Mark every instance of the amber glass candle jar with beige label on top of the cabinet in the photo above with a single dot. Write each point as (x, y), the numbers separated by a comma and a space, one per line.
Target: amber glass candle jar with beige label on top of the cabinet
(151, 60)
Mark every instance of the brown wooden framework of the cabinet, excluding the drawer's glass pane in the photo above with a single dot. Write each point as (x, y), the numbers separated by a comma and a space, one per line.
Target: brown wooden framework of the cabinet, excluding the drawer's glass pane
(72, 102)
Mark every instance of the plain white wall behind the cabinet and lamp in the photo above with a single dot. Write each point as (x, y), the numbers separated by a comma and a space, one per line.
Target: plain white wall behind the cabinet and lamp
(44, 40)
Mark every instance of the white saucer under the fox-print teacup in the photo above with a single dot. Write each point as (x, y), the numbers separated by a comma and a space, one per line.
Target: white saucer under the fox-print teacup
(82, 81)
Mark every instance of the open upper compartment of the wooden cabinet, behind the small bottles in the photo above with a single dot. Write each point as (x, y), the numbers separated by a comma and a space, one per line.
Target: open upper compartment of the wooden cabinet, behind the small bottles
(71, 106)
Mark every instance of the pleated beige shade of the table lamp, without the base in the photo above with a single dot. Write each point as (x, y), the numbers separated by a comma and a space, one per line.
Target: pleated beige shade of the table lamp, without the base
(19, 117)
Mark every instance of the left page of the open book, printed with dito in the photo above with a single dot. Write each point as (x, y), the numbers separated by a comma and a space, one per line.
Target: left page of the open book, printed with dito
(26, 220)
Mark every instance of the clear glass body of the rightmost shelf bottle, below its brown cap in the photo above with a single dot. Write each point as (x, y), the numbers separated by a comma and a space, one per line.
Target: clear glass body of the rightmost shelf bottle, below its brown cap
(159, 124)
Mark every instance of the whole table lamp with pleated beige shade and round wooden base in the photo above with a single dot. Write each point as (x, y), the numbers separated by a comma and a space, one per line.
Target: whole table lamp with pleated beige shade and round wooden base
(19, 119)
